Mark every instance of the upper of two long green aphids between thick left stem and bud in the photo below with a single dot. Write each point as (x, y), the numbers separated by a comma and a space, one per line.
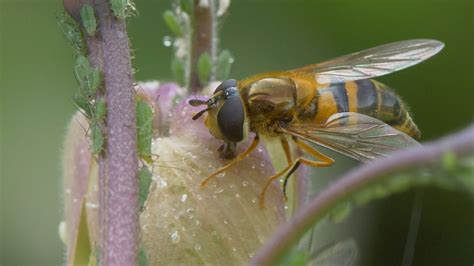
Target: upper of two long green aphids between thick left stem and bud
(144, 115)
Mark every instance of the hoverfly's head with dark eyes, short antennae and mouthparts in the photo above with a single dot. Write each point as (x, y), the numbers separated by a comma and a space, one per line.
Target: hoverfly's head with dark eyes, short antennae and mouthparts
(226, 116)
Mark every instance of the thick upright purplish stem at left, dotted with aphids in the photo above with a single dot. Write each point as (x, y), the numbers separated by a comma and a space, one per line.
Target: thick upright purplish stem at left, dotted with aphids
(118, 185)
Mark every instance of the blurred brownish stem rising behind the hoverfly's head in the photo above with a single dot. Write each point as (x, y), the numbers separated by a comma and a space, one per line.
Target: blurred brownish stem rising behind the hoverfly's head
(203, 40)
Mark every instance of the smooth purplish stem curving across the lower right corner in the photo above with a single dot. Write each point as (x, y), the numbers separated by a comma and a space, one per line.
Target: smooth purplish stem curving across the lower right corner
(289, 233)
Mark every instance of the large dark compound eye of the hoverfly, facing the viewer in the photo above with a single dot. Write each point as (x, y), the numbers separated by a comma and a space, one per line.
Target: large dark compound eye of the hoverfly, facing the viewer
(231, 116)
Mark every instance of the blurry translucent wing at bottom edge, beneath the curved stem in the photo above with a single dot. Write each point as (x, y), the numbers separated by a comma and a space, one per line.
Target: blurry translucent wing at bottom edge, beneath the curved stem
(343, 253)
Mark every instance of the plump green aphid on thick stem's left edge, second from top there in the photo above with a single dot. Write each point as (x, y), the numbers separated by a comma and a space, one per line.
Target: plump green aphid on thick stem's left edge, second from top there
(89, 78)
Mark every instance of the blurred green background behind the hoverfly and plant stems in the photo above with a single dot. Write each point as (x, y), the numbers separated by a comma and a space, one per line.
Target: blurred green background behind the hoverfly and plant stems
(37, 83)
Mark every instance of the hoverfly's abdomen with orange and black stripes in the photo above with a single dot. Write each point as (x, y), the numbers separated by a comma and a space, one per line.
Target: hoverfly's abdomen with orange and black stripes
(367, 97)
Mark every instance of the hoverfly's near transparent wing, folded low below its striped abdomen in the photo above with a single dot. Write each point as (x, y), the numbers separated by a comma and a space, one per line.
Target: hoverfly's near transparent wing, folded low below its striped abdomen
(355, 135)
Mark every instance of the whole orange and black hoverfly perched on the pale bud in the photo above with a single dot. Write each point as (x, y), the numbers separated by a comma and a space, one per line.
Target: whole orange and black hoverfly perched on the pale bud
(333, 104)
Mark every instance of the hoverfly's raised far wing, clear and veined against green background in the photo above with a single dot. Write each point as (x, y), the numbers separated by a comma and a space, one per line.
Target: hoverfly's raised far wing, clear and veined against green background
(374, 62)
